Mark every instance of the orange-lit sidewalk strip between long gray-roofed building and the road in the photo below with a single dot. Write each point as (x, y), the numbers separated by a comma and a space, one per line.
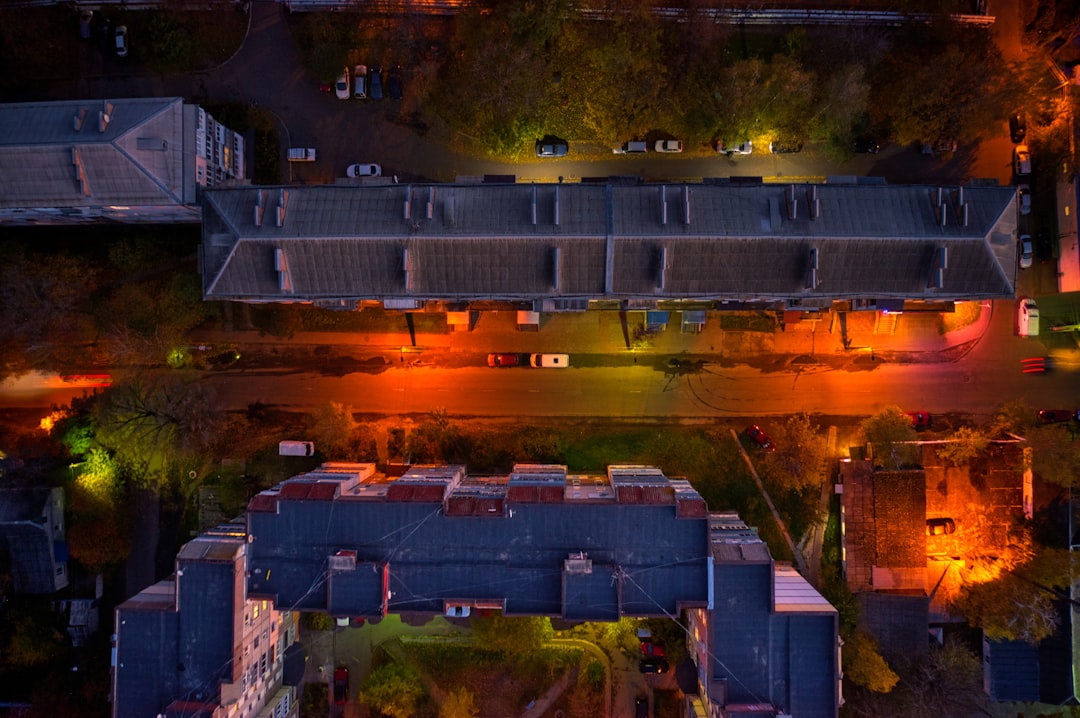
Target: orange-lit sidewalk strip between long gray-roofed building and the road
(840, 340)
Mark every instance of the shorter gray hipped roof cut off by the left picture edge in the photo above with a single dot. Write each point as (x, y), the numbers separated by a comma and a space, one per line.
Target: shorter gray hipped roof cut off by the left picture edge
(138, 160)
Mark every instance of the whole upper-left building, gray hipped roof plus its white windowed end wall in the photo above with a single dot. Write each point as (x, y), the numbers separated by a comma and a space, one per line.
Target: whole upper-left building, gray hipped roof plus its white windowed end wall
(140, 160)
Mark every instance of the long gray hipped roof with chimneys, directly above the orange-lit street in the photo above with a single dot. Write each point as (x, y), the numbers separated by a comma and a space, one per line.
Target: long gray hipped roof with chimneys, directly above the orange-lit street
(602, 241)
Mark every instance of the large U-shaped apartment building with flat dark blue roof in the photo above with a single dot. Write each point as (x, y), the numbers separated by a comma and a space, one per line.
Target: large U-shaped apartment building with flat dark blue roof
(348, 541)
